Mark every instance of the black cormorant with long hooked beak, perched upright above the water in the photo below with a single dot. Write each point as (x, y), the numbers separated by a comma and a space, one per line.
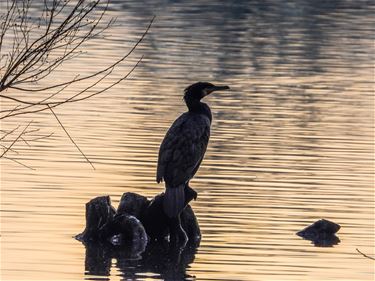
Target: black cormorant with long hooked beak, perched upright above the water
(182, 152)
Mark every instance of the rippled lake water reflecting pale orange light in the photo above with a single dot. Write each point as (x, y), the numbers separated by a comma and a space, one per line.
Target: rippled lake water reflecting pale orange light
(292, 142)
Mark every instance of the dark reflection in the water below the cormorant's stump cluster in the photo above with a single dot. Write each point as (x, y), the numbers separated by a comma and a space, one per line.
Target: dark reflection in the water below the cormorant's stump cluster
(139, 260)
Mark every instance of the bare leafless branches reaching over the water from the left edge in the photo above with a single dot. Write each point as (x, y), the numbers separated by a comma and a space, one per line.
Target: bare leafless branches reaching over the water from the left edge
(36, 45)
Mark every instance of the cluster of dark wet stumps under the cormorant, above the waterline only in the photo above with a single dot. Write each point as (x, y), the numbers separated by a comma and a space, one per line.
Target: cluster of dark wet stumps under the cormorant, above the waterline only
(136, 221)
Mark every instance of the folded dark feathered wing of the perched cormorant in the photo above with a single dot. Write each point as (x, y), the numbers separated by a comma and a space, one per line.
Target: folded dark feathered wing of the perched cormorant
(182, 149)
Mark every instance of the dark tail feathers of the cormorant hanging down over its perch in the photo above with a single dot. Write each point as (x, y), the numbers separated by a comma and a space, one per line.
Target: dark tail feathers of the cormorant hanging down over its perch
(174, 200)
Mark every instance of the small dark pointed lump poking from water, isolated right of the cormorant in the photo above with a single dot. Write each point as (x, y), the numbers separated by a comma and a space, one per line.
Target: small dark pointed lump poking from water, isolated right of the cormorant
(321, 233)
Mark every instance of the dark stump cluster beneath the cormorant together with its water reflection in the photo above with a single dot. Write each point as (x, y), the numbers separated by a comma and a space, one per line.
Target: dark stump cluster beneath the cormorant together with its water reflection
(122, 236)
